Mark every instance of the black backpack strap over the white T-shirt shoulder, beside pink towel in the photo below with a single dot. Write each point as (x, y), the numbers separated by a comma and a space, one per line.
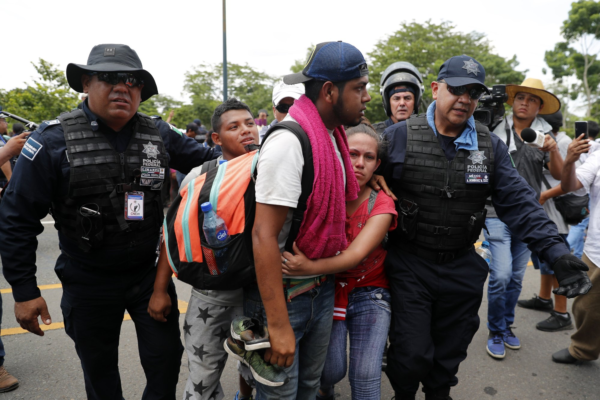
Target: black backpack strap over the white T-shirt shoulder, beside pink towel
(308, 176)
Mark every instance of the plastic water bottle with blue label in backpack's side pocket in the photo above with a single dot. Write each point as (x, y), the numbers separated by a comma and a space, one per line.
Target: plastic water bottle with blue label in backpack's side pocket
(216, 234)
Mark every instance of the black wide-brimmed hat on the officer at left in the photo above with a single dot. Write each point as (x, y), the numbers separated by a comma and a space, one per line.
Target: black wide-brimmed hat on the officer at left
(112, 58)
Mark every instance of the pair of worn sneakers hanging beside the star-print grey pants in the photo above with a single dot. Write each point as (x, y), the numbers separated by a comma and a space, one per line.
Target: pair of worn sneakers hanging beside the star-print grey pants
(247, 343)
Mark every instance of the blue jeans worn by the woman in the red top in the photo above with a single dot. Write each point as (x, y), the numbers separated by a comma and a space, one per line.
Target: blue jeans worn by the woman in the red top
(367, 323)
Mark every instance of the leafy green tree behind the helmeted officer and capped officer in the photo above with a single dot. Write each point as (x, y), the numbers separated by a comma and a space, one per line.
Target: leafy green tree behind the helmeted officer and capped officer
(427, 46)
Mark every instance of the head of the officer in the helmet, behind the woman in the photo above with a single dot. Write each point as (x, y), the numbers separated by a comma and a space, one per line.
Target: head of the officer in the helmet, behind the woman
(401, 89)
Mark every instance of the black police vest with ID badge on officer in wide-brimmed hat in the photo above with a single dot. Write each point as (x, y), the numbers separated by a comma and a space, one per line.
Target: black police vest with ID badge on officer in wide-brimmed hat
(92, 214)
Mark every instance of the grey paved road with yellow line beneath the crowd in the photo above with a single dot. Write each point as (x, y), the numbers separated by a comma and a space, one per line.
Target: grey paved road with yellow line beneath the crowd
(48, 367)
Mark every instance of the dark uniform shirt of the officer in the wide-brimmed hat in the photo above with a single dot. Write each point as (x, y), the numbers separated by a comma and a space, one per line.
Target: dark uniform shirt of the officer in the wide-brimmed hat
(40, 179)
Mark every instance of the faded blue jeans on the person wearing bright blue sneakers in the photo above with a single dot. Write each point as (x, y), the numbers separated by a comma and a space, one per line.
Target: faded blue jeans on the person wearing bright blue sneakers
(509, 261)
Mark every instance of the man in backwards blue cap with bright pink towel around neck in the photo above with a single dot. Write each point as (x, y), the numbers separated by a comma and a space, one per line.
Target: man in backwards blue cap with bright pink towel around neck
(305, 175)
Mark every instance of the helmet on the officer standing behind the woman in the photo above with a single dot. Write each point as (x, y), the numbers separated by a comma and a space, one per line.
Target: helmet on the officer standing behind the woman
(400, 73)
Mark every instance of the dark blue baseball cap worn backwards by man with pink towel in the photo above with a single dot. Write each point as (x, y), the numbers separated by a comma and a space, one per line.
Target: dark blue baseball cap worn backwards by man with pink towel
(331, 61)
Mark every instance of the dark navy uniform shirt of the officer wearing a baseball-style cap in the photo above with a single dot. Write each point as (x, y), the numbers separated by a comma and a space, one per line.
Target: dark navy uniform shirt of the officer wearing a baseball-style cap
(515, 201)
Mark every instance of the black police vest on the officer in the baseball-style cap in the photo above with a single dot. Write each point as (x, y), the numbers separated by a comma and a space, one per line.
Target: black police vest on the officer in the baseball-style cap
(441, 202)
